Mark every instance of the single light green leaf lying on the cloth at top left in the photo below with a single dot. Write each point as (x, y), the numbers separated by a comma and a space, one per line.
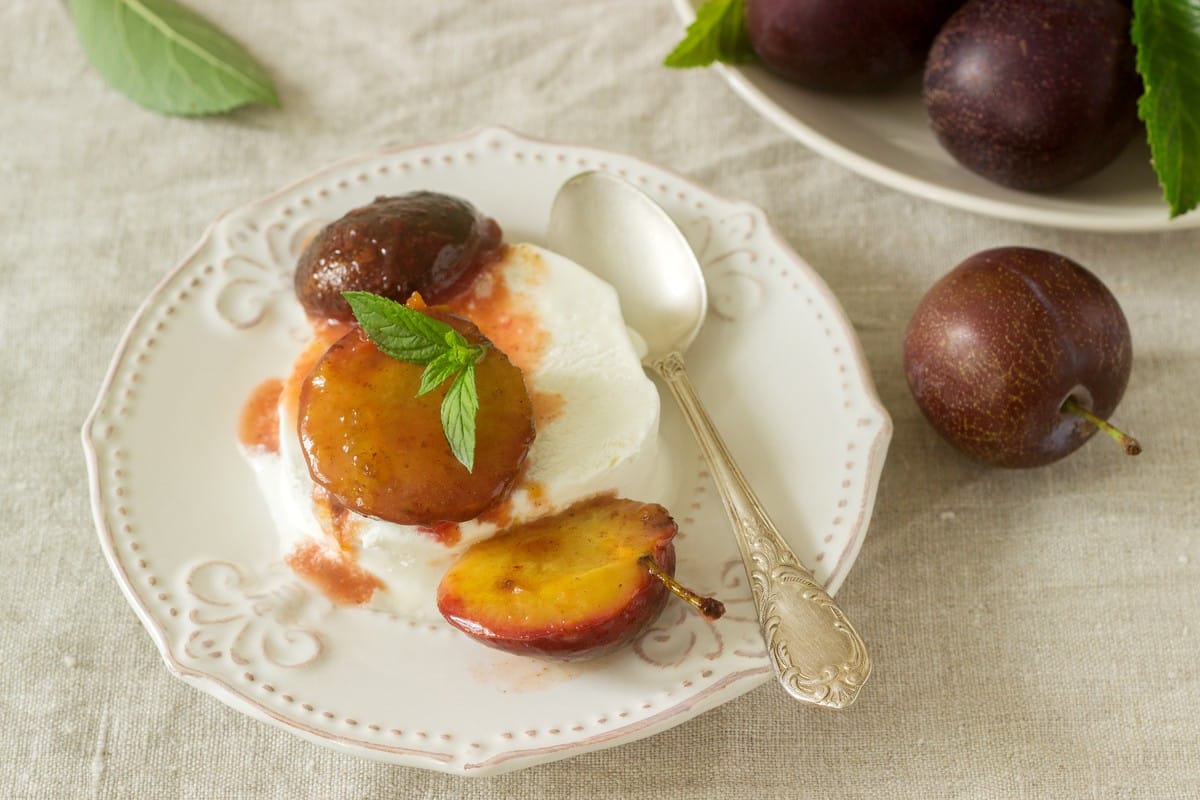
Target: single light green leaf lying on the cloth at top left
(167, 58)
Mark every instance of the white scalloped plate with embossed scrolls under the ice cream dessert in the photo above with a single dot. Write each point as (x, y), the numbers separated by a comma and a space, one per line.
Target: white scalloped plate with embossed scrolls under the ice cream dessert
(191, 544)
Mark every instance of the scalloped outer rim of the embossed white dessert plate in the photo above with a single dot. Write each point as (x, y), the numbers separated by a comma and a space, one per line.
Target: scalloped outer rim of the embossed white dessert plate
(662, 720)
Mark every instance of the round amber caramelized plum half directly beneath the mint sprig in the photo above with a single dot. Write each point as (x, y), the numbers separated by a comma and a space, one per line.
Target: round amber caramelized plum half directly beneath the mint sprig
(381, 450)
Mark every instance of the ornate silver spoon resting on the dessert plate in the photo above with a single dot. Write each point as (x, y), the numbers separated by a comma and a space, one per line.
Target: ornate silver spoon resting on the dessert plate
(621, 234)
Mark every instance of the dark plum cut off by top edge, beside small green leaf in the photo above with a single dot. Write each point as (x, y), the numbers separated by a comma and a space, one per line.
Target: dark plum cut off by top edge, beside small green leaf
(845, 45)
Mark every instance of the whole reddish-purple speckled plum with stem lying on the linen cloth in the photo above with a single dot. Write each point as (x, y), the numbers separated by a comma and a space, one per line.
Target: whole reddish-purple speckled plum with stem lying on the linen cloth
(1001, 341)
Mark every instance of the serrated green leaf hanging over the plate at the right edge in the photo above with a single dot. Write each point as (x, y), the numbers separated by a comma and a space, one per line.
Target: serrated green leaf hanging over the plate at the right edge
(1167, 34)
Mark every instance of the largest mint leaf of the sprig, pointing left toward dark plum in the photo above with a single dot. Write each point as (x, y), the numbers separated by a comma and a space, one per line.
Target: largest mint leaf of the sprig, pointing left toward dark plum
(401, 333)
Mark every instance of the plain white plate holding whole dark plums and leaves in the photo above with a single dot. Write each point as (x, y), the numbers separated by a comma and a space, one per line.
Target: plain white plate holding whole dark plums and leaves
(886, 137)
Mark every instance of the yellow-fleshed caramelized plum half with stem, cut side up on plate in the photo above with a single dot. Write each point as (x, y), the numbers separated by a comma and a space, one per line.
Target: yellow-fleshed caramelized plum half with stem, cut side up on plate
(568, 586)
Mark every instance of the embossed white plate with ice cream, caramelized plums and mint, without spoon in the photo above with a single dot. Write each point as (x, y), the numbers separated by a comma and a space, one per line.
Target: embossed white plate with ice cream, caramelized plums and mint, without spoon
(375, 466)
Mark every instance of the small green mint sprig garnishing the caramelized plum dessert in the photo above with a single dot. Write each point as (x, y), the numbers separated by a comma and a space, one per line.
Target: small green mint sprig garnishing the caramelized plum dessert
(413, 338)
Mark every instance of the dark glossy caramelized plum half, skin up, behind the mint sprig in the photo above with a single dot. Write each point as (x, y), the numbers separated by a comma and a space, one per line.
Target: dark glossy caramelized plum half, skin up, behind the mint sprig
(423, 242)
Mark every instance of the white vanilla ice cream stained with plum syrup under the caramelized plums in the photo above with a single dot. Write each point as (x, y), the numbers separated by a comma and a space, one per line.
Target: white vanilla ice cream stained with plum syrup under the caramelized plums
(596, 413)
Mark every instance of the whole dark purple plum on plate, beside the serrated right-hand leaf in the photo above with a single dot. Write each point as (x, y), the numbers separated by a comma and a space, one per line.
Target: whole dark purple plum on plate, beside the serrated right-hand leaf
(1034, 94)
